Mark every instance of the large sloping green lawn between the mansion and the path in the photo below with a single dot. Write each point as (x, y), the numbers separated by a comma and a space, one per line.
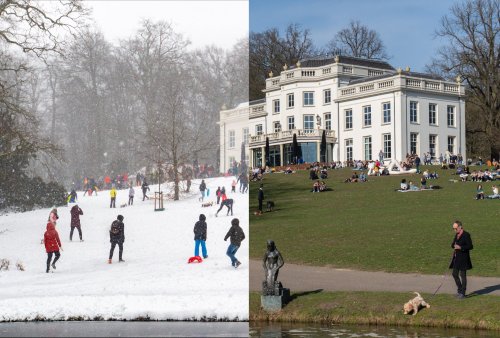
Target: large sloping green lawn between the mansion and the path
(370, 226)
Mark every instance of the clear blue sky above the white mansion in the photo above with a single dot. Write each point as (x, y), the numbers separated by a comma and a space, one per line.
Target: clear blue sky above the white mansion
(406, 27)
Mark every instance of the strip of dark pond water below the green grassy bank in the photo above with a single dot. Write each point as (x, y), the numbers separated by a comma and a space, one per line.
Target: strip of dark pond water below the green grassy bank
(258, 329)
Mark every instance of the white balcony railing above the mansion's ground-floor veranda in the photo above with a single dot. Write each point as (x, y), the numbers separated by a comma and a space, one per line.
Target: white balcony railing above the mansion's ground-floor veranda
(286, 136)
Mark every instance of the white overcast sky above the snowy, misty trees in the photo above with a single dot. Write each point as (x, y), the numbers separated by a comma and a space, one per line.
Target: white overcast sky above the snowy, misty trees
(203, 22)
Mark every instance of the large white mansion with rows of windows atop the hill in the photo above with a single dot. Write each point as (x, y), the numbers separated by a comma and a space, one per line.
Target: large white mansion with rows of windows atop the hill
(363, 106)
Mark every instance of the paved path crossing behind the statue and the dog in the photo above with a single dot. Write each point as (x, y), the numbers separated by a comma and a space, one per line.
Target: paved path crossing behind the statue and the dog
(309, 278)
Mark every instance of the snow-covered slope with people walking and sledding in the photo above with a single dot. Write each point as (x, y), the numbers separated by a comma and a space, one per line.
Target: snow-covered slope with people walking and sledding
(155, 281)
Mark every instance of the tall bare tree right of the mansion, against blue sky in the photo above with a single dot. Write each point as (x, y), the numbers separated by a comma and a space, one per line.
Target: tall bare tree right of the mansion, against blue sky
(472, 30)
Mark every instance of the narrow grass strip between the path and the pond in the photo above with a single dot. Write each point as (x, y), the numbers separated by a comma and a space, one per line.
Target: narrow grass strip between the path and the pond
(383, 308)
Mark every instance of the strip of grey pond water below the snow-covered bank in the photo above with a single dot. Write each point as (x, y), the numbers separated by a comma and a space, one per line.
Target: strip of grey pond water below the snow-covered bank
(124, 329)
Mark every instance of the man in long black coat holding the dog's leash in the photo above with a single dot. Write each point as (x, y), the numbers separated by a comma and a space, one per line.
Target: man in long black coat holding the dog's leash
(462, 244)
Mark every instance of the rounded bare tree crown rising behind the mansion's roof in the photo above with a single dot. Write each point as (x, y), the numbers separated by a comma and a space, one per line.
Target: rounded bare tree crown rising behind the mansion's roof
(359, 41)
